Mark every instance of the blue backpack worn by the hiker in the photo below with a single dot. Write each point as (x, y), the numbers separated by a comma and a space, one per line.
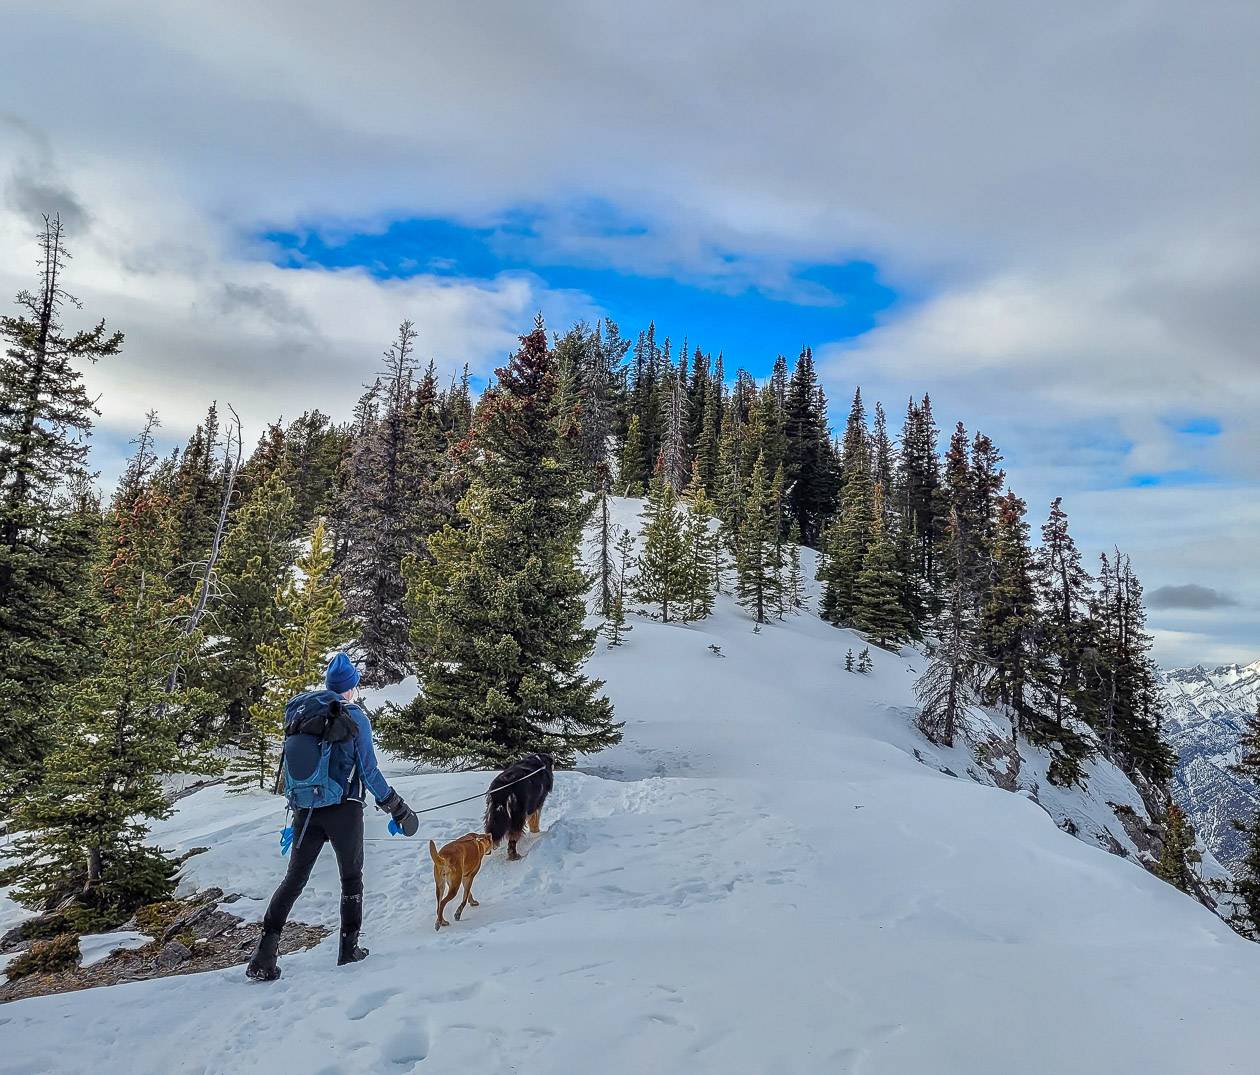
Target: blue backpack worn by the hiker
(318, 756)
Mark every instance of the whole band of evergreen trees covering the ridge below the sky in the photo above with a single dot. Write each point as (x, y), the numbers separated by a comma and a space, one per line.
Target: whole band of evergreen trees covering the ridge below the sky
(439, 535)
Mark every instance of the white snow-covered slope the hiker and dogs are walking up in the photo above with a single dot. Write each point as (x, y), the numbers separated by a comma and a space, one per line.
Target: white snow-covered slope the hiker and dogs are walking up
(762, 878)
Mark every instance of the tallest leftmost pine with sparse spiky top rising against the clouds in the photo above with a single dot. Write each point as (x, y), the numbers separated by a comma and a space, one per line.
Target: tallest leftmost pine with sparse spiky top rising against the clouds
(46, 420)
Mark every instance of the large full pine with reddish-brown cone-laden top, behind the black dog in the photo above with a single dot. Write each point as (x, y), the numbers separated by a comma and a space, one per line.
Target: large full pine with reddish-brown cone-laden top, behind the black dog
(498, 612)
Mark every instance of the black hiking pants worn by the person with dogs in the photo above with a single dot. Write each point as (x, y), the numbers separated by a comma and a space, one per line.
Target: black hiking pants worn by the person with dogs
(341, 826)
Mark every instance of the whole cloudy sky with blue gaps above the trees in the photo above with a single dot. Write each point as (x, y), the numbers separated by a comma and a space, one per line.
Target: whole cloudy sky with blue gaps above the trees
(1048, 216)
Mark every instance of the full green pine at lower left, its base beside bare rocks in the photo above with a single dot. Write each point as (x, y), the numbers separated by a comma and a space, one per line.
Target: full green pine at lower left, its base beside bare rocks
(117, 732)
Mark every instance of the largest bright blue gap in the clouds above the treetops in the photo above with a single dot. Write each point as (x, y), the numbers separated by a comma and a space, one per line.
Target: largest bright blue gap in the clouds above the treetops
(749, 309)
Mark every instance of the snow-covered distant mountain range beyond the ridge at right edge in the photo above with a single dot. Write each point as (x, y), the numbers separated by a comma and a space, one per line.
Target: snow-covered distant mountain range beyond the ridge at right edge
(1205, 713)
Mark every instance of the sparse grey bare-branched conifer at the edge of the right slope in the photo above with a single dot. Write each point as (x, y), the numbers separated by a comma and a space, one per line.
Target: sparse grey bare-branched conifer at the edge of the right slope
(948, 690)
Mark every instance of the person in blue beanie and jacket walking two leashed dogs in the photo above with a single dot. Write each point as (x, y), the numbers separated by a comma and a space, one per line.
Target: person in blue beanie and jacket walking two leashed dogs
(331, 718)
